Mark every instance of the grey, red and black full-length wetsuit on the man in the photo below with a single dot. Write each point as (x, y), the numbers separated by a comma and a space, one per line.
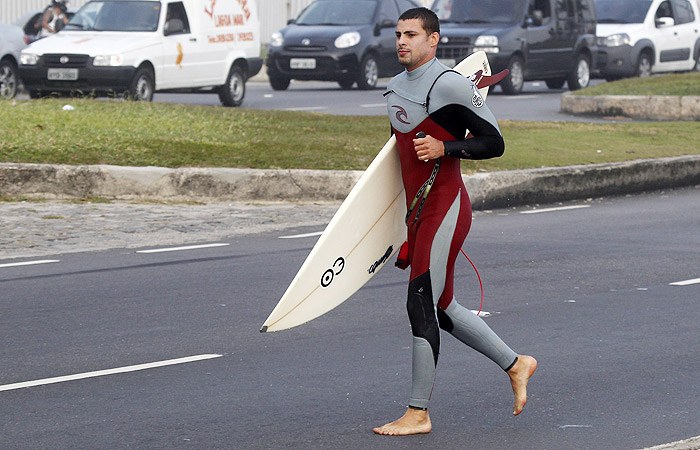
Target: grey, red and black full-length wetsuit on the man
(443, 104)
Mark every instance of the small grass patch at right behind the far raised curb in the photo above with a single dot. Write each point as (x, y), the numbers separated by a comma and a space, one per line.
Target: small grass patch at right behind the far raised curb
(670, 84)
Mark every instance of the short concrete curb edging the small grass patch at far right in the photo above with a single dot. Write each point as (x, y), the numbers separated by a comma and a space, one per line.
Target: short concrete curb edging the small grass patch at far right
(639, 107)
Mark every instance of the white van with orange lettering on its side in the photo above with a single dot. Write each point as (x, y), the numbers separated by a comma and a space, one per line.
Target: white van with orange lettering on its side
(138, 47)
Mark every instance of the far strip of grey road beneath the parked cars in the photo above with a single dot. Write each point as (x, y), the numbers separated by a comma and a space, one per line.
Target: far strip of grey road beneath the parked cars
(537, 102)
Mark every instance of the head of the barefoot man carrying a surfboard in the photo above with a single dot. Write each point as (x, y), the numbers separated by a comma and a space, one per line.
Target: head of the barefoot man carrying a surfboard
(417, 36)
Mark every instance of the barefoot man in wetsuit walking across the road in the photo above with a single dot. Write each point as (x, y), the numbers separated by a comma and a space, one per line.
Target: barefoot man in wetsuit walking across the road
(429, 98)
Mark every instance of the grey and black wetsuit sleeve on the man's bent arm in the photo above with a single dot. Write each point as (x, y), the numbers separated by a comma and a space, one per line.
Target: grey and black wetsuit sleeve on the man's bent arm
(462, 108)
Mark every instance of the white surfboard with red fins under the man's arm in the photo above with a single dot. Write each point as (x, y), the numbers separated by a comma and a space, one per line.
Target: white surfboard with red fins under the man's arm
(364, 233)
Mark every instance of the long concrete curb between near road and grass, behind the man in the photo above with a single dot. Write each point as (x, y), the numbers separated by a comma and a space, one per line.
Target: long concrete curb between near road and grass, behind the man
(486, 190)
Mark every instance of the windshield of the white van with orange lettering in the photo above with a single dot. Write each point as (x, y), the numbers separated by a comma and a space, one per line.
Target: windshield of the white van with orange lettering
(116, 16)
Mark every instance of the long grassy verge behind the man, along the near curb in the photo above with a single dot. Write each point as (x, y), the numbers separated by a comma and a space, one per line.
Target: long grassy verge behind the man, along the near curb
(152, 134)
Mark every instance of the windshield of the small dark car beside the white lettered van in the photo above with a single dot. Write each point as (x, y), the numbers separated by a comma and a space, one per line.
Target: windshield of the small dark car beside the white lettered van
(338, 12)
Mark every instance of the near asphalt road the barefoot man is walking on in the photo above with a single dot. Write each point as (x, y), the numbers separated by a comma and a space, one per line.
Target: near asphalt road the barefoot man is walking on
(586, 290)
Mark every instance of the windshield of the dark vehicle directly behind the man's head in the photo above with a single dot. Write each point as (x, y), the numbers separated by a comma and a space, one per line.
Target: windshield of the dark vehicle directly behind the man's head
(479, 11)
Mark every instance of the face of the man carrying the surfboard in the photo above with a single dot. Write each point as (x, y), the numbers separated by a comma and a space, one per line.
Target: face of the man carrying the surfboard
(413, 44)
